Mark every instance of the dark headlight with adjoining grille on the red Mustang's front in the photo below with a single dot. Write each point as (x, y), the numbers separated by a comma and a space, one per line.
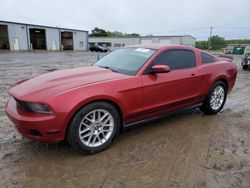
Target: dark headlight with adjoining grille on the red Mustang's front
(34, 107)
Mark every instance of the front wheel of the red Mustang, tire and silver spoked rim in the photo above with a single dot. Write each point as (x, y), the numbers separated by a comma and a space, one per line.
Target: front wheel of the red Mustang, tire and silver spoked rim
(93, 128)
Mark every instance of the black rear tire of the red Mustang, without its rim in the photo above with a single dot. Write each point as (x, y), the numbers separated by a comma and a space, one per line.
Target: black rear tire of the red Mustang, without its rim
(206, 106)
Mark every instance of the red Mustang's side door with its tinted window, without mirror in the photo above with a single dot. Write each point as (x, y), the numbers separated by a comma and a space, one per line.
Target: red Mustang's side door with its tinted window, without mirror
(166, 91)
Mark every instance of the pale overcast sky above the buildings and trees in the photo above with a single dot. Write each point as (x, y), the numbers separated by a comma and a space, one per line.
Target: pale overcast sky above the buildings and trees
(230, 19)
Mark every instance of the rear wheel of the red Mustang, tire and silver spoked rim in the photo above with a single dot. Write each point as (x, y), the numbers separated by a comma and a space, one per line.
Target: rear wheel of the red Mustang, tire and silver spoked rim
(215, 99)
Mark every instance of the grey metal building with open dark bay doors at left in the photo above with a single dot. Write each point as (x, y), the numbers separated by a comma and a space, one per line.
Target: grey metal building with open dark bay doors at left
(21, 36)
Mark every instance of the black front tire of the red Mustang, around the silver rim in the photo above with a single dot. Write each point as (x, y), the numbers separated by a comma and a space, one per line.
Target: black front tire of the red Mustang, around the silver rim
(73, 134)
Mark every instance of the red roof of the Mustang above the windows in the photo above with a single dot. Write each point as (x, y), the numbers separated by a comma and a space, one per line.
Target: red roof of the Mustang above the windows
(161, 46)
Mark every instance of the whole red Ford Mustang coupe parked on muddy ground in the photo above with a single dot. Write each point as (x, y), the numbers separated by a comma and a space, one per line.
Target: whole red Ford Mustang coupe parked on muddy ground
(88, 105)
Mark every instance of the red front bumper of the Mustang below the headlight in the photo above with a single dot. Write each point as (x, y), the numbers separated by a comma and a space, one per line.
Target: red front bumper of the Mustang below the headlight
(35, 126)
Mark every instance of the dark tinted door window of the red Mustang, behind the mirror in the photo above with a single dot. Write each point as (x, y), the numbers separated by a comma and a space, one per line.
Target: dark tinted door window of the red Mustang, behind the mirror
(176, 59)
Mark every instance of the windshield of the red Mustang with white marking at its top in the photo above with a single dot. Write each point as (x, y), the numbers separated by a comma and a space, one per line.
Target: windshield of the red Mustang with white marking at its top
(125, 60)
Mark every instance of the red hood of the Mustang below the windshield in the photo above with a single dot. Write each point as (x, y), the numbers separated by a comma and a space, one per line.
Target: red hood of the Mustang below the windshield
(50, 84)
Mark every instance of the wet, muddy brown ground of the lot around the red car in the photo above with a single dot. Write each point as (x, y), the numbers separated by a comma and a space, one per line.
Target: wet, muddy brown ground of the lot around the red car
(186, 149)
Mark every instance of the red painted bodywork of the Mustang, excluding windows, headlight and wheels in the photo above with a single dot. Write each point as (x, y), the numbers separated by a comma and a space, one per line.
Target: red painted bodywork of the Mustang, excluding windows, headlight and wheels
(137, 97)
